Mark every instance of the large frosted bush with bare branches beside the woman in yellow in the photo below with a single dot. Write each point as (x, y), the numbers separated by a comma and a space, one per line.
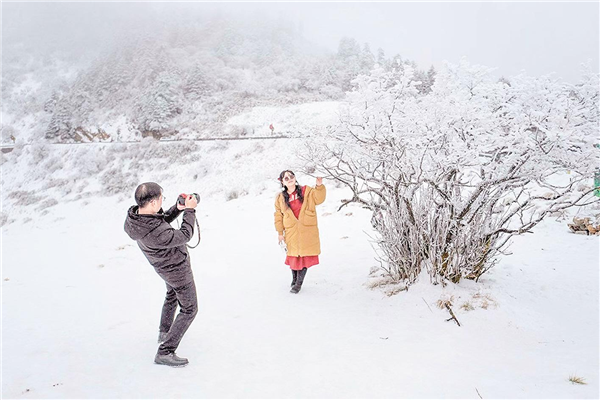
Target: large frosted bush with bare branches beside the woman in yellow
(453, 173)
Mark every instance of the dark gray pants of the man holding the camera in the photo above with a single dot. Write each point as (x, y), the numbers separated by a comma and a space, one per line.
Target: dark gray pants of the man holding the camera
(186, 297)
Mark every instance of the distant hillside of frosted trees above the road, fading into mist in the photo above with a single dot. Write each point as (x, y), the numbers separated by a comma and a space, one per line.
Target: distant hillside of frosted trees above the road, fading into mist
(183, 78)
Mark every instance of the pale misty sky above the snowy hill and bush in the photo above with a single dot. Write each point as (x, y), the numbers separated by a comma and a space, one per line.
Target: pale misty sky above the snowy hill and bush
(537, 38)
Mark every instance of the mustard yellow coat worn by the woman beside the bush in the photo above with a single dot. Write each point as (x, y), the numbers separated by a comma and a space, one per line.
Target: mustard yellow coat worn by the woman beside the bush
(301, 234)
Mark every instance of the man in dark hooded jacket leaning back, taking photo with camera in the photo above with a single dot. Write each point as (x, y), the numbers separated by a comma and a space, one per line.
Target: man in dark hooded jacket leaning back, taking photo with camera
(165, 249)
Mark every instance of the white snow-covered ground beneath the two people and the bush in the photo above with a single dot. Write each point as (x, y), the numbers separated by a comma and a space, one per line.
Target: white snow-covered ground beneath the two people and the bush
(81, 305)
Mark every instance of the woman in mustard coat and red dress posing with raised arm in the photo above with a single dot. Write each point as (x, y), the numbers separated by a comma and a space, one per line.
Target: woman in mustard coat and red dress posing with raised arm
(296, 224)
